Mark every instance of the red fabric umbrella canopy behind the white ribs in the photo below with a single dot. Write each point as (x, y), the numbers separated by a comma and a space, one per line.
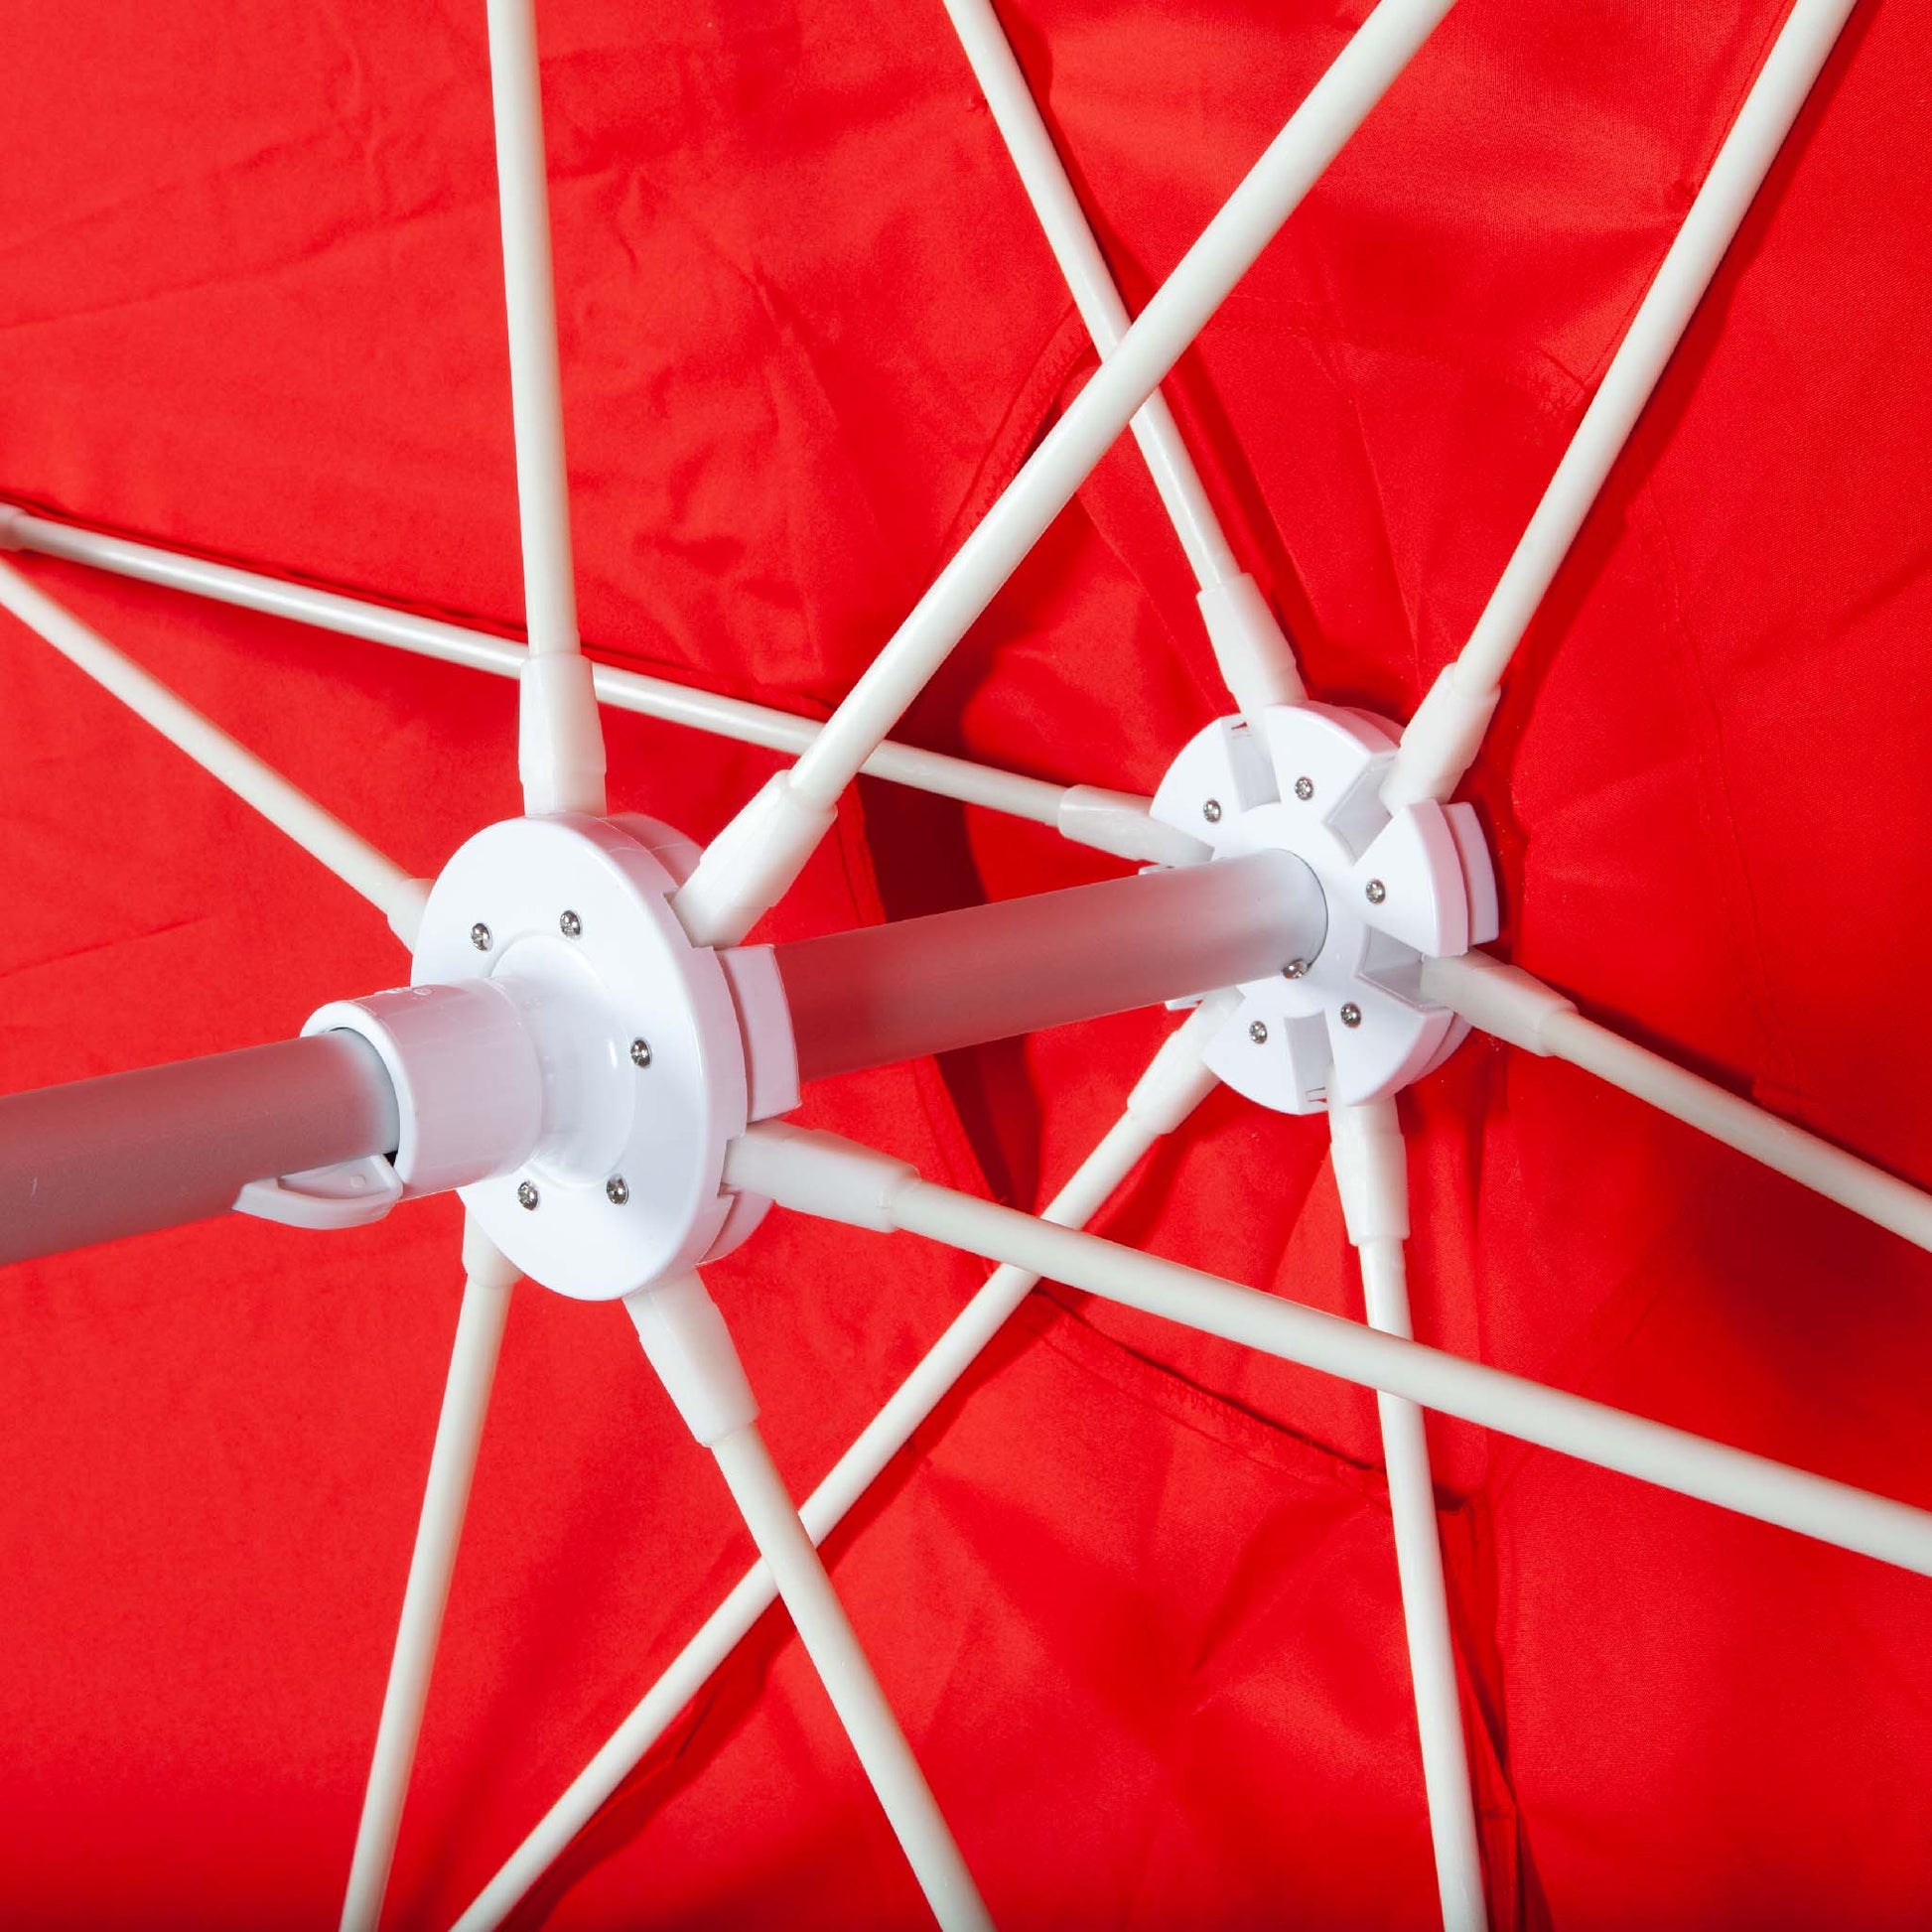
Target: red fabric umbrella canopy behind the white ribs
(1131, 1591)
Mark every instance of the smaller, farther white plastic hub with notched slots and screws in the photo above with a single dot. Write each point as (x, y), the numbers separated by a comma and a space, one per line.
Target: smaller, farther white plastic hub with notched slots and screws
(1402, 888)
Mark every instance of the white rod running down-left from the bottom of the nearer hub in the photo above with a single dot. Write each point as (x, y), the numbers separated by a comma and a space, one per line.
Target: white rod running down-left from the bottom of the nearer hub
(480, 1324)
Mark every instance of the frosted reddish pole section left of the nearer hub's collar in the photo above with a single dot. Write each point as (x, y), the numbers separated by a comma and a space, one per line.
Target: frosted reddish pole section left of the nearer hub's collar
(169, 1145)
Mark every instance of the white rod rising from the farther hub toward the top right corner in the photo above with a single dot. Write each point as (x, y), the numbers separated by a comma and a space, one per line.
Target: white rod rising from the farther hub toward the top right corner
(1444, 737)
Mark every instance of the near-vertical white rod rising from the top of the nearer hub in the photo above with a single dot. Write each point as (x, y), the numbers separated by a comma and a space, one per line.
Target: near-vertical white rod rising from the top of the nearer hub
(559, 737)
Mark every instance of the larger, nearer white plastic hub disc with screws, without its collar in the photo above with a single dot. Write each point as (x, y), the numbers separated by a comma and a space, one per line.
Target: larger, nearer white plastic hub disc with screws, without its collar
(639, 1040)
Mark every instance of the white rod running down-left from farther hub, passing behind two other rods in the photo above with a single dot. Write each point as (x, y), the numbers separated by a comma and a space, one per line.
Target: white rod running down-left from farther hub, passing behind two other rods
(1166, 1096)
